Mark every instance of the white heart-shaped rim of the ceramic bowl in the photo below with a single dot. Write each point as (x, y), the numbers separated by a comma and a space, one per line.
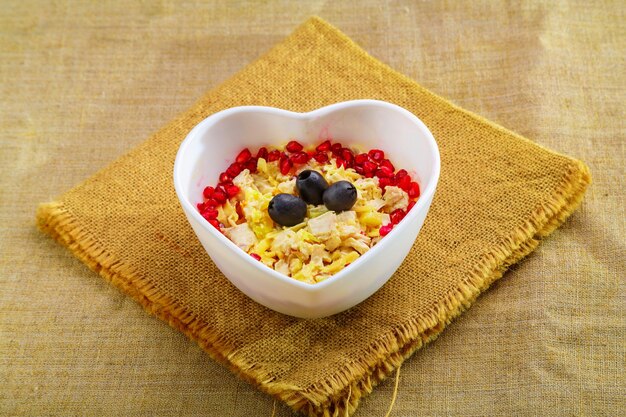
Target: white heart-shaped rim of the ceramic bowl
(426, 194)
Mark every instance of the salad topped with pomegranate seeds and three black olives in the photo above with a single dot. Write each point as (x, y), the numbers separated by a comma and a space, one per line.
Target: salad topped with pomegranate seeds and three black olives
(308, 212)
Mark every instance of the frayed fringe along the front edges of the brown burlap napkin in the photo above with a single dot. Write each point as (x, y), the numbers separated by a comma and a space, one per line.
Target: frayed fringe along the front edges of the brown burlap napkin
(339, 394)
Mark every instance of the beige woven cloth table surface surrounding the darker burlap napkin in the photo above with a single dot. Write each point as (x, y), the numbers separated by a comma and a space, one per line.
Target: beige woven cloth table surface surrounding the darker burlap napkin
(84, 82)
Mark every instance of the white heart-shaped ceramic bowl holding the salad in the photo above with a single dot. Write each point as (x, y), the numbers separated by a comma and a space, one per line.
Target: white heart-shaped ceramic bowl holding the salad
(213, 144)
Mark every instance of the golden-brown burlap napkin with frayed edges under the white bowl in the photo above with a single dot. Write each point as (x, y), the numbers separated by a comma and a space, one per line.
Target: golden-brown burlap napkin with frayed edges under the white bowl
(498, 195)
